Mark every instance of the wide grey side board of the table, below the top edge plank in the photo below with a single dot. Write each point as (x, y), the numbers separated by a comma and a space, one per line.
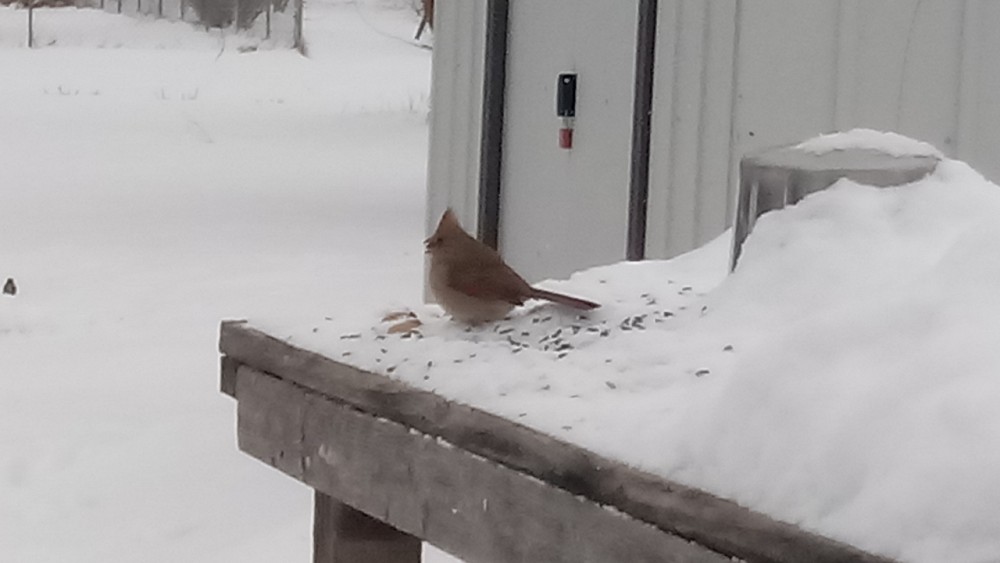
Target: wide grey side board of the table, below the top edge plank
(470, 506)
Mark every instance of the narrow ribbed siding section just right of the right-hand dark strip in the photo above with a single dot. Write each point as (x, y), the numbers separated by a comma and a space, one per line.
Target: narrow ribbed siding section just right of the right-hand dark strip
(691, 125)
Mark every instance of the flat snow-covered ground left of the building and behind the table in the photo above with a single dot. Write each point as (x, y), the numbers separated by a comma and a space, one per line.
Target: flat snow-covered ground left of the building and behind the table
(153, 181)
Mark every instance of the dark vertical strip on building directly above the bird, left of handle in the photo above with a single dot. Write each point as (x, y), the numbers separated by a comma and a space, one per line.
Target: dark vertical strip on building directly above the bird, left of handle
(491, 143)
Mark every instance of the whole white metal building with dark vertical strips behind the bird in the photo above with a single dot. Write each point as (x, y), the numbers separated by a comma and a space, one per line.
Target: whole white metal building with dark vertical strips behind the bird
(669, 95)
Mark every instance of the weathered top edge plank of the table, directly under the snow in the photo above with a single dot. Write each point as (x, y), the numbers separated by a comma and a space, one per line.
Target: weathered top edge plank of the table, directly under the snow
(716, 523)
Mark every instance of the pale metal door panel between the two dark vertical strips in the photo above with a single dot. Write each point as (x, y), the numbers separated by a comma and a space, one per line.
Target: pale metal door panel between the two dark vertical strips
(563, 210)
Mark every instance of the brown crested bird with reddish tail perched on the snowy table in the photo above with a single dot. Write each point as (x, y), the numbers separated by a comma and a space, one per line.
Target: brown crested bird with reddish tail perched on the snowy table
(471, 281)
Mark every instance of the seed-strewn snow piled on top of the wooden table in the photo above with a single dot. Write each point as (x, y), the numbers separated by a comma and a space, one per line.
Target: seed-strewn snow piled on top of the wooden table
(846, 377)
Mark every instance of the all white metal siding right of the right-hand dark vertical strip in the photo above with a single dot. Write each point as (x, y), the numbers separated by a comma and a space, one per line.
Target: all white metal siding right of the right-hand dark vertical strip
(778, 72)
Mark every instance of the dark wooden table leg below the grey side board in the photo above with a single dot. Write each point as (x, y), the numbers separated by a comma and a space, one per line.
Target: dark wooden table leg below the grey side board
(342, 534)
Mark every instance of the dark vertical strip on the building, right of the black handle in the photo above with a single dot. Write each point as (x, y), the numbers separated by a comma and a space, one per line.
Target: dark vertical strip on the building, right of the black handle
(642, 108)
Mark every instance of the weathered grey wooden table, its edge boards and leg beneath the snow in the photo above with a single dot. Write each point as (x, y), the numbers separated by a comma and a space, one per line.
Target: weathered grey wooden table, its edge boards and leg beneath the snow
(393, 465)
